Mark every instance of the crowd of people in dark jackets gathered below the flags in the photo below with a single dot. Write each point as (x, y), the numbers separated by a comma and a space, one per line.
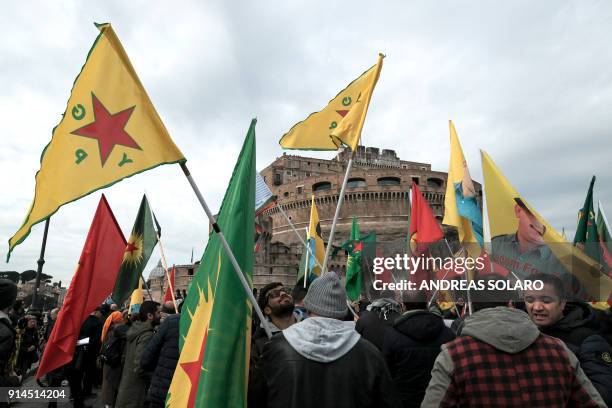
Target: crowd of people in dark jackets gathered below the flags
(535, 348)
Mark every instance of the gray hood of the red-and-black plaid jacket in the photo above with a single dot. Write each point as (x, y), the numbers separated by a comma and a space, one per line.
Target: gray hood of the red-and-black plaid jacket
(506, 329)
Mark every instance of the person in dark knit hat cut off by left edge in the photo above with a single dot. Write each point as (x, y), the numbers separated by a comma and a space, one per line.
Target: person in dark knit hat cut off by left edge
(8, 294)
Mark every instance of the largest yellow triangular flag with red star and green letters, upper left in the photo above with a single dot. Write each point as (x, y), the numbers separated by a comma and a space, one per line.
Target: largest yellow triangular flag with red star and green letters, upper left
(109, 131)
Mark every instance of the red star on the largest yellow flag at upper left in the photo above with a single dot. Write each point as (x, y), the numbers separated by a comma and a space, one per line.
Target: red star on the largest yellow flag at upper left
(108, 129)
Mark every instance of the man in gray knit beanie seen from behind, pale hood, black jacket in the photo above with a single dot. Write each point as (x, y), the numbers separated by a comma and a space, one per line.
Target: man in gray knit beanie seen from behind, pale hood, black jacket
(322, 361)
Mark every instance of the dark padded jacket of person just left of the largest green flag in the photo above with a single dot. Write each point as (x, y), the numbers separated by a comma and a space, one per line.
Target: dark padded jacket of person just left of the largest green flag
(161, 357)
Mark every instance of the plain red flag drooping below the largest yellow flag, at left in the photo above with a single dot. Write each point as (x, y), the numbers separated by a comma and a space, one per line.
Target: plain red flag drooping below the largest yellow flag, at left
(91, 284)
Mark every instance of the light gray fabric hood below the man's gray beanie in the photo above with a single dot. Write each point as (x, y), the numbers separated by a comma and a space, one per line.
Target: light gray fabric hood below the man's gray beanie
(322, 339)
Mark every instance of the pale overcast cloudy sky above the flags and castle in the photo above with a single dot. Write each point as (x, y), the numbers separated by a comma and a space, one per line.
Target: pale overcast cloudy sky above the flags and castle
(529, 82)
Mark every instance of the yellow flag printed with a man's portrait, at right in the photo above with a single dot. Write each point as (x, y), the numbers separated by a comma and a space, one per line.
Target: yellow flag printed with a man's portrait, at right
(524, 243)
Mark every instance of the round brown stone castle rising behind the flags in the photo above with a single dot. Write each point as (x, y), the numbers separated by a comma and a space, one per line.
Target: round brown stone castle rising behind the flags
(377, 195)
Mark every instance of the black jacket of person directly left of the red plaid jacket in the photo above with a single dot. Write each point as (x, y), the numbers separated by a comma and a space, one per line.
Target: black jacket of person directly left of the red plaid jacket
(411, 348)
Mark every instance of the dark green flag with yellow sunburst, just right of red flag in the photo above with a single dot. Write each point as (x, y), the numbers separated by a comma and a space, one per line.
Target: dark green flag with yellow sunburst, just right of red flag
(137, 253)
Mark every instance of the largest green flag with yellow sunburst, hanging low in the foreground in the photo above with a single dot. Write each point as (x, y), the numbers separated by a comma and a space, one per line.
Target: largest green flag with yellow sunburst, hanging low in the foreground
(215, 325)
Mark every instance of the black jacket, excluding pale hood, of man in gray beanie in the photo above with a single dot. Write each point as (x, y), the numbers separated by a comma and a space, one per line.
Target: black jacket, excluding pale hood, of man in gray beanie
(358, 379)
